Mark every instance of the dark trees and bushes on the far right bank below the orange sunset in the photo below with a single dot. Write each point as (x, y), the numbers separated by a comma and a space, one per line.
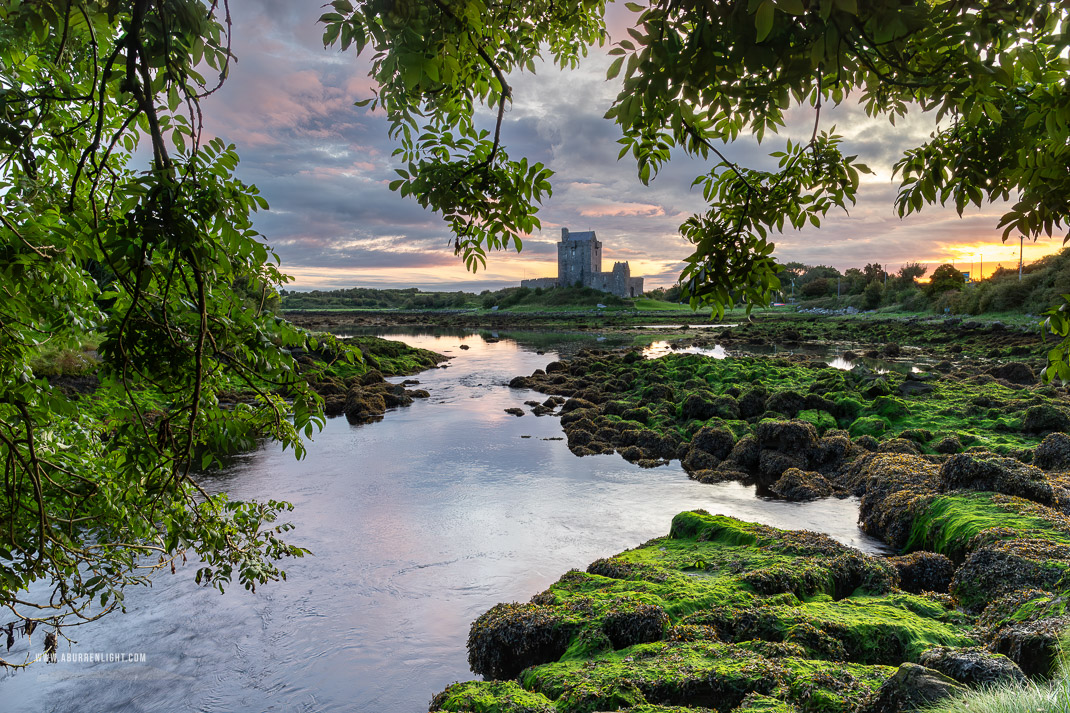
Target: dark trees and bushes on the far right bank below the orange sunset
(947, 291)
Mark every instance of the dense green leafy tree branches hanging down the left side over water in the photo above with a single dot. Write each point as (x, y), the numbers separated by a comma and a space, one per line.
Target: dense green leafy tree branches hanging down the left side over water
(163, 264)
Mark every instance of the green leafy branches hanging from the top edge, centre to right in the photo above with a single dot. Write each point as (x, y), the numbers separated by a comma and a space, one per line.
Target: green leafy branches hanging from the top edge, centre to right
(697, 75)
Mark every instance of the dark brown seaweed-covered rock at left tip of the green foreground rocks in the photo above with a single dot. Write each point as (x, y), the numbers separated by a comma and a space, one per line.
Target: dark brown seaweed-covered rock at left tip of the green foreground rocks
(511, 638)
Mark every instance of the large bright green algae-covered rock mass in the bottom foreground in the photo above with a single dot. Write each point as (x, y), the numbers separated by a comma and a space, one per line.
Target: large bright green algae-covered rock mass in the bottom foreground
(721, 615)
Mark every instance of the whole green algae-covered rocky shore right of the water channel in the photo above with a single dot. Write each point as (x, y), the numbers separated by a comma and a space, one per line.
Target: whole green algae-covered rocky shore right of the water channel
(961, 469)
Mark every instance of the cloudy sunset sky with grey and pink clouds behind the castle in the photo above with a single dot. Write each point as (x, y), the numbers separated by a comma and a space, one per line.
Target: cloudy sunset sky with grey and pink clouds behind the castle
(325, 166)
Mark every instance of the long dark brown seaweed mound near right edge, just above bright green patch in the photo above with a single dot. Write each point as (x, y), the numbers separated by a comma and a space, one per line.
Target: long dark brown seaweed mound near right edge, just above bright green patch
(968, 472)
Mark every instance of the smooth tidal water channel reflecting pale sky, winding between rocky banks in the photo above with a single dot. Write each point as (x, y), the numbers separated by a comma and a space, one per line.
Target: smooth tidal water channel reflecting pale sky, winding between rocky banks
(419, 524)
